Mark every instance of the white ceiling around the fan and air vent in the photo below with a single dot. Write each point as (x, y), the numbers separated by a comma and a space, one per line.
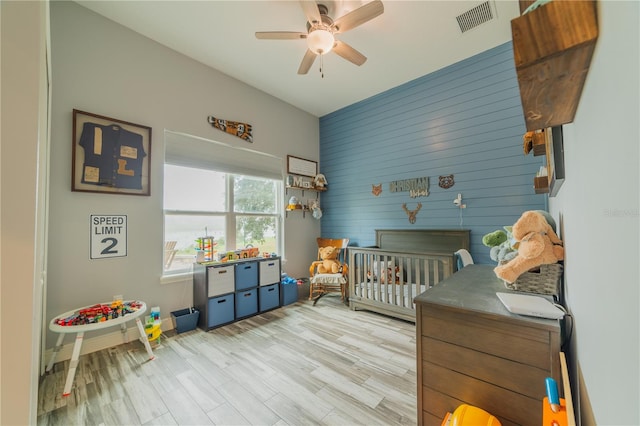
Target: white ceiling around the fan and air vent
(409, 40)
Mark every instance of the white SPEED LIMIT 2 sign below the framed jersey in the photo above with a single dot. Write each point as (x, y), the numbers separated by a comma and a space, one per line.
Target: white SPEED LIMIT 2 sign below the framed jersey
(108, 236)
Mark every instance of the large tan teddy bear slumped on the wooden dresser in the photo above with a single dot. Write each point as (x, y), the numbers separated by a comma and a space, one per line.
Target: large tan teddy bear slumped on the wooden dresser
(538, 244)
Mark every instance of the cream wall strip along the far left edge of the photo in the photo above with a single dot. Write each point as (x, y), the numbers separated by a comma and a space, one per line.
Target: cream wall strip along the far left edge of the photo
(24, 138)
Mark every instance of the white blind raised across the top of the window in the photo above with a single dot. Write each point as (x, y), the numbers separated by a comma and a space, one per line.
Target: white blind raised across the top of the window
(192, 151)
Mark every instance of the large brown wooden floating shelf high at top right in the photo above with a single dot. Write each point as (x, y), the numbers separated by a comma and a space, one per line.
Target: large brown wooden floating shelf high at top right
(552, 47)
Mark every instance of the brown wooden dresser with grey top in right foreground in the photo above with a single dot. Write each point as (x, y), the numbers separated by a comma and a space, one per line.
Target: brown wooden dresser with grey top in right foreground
(471, 350)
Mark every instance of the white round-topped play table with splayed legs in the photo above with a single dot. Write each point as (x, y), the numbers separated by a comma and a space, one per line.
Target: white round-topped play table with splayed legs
(83, 328)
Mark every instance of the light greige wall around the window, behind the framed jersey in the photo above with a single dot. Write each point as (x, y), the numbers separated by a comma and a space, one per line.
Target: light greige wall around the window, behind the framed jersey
(104, 68)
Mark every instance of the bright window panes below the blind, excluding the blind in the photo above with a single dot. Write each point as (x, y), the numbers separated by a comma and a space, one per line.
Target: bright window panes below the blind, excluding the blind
(237, 210)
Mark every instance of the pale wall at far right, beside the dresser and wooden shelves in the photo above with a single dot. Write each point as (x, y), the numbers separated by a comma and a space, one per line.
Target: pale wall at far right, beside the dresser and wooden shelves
(599, 214)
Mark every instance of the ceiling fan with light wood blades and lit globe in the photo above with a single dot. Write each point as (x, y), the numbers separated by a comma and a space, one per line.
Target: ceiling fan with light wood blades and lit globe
(321, 30)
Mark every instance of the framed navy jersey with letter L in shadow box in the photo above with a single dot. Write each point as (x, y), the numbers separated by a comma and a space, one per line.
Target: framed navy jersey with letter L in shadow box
(110, 156)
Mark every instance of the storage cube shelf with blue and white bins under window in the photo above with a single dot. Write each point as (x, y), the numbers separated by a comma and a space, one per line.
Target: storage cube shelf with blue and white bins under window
(227, 292)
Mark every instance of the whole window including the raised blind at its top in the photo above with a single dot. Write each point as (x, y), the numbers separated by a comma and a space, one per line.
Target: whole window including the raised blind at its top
(207, 196)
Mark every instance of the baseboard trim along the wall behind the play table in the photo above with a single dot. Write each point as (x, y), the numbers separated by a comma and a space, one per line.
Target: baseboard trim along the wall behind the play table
(104, 341)
